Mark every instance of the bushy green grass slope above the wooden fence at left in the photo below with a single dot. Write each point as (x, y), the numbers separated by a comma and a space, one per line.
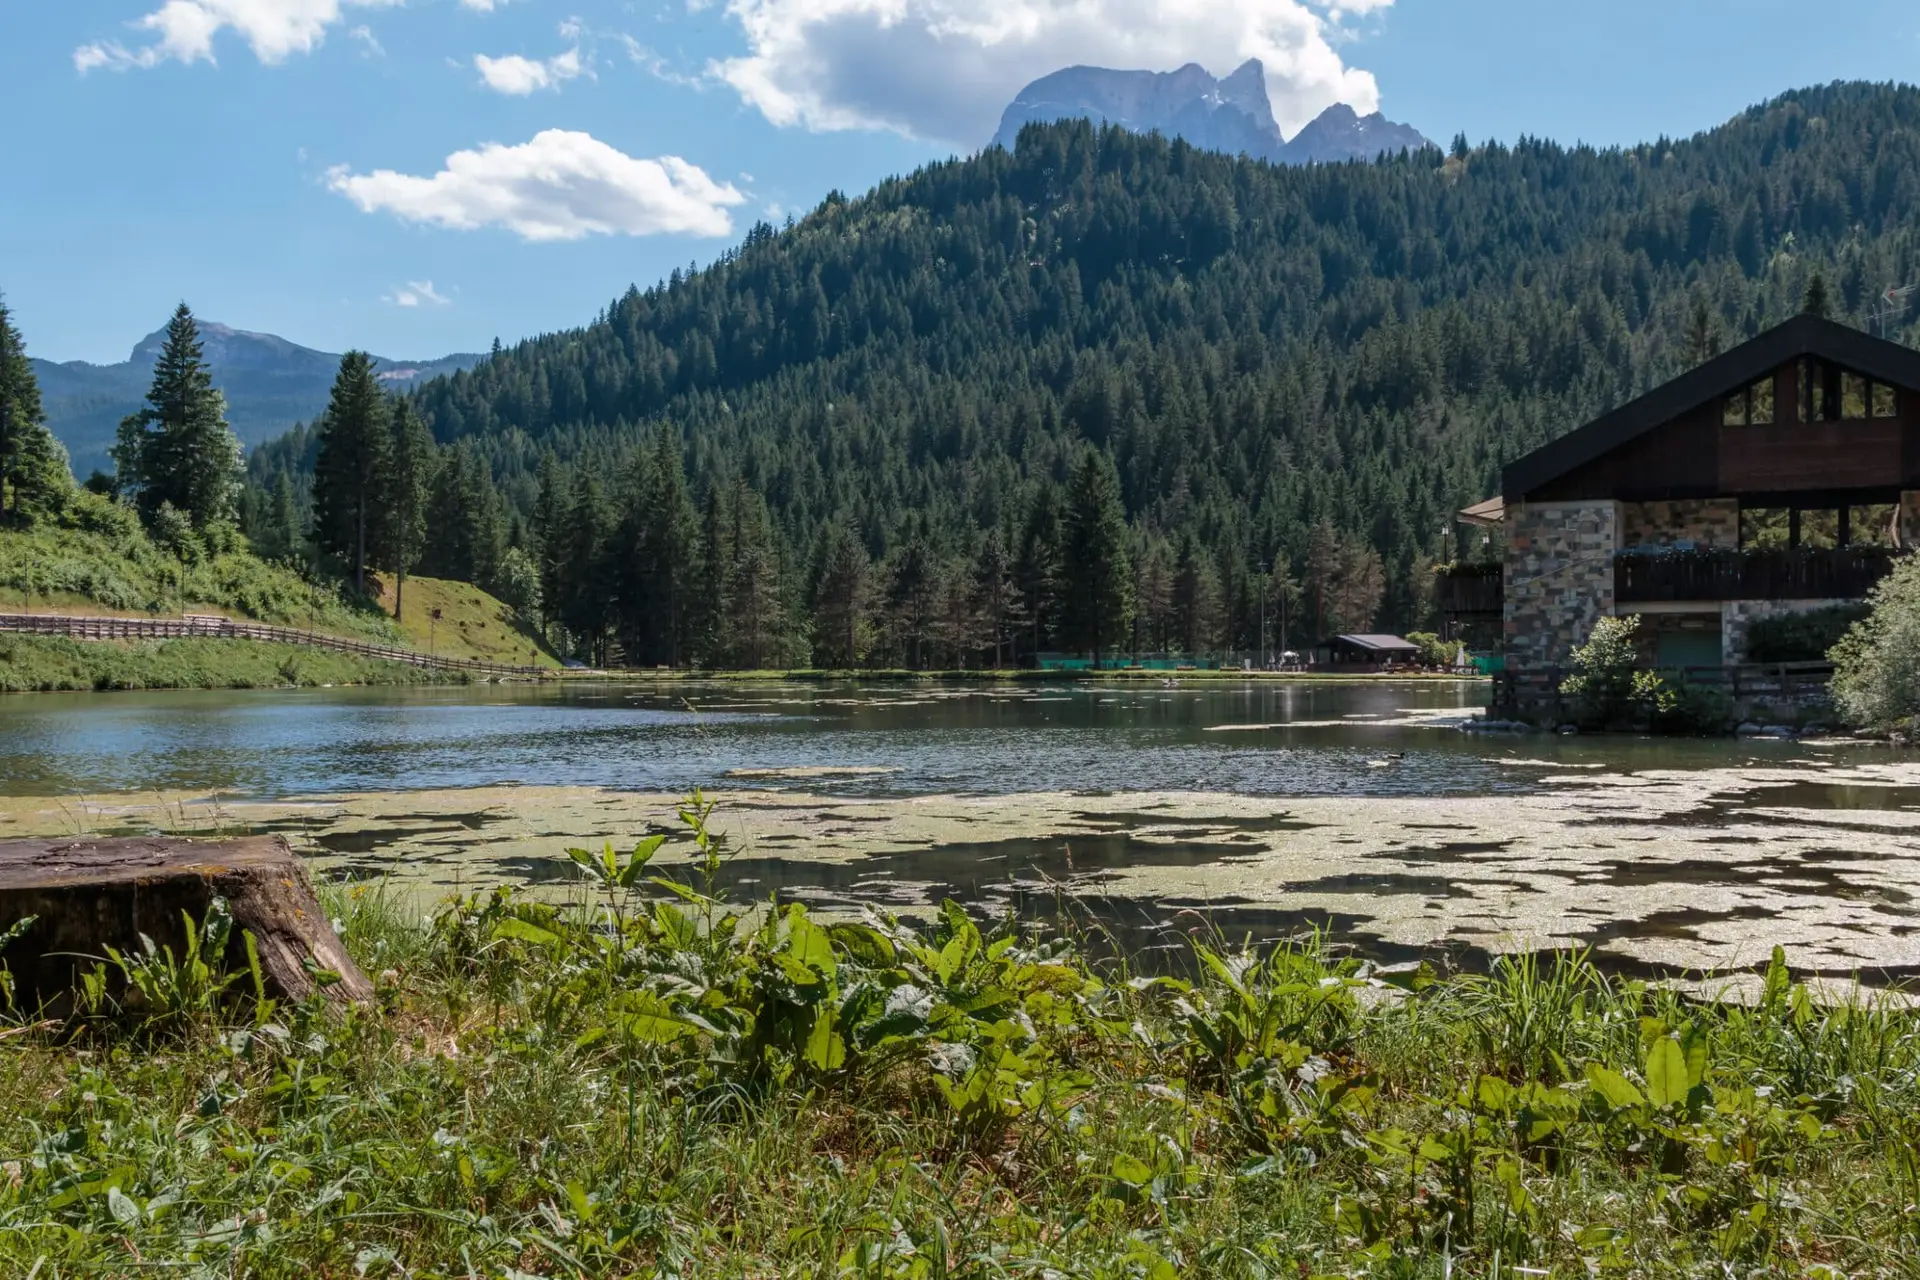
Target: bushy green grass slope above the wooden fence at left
(101, 561)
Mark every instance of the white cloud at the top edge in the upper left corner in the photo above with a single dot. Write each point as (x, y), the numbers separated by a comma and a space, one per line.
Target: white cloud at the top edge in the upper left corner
(185, 30)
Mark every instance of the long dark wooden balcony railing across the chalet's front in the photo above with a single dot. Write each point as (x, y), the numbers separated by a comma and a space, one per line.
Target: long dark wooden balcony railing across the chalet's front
(1673, 577)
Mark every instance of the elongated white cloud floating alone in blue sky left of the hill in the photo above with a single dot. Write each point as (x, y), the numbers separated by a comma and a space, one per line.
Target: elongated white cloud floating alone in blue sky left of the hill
(558, 187)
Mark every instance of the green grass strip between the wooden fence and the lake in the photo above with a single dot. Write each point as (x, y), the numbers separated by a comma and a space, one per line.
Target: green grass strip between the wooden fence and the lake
(49, 663)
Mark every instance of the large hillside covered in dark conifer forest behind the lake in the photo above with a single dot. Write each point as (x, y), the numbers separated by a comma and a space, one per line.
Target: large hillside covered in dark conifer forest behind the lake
(1078, 396)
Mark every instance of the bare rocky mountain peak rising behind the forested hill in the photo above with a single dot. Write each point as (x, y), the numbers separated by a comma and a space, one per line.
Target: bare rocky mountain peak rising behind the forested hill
(1230, 116)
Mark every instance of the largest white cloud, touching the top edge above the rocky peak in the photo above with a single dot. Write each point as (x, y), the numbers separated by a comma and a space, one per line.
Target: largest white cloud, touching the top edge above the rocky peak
(946, 70)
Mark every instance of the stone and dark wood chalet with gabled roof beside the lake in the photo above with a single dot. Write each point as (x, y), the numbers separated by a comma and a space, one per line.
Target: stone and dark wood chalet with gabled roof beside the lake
(1775, 479)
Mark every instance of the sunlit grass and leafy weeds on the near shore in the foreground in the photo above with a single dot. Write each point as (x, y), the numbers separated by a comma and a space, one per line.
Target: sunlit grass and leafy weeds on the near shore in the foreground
(660, 1087)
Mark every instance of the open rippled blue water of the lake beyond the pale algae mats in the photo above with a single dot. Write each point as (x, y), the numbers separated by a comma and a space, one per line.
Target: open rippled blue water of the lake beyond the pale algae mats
(1264, 740)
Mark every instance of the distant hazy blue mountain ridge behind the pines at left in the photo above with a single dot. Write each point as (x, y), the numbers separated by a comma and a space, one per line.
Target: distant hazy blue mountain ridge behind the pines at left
(270, 385)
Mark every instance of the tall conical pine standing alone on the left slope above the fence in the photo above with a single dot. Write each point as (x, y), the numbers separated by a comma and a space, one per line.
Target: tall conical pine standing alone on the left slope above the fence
(180, 452)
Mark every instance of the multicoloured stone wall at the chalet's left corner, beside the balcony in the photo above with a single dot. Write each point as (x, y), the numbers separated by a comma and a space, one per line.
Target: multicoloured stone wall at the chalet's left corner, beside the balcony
(1560, 579)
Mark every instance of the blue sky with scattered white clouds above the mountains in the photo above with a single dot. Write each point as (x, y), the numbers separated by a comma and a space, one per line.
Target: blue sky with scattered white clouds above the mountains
(420, 178)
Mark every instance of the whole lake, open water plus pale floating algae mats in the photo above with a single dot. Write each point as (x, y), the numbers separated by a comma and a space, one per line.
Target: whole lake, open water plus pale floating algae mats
(1239, 807)
